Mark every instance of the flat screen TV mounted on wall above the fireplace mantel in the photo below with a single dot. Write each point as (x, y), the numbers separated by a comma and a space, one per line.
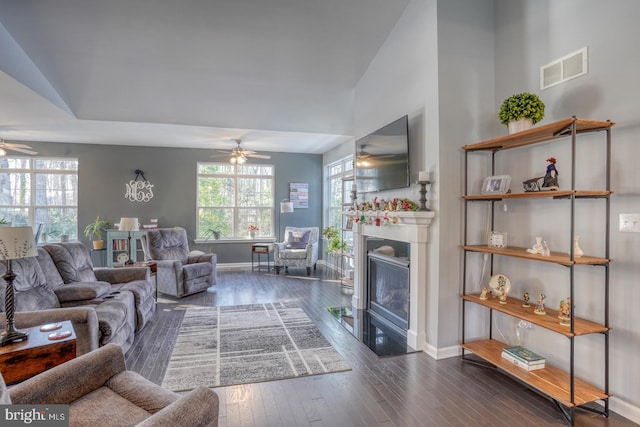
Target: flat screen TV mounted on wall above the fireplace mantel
(382, 158)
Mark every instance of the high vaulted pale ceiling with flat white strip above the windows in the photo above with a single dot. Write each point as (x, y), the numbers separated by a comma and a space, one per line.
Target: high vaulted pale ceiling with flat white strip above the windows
(280, 74)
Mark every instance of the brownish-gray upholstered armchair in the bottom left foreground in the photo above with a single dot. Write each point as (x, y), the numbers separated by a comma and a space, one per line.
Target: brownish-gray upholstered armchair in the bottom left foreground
(100, 391)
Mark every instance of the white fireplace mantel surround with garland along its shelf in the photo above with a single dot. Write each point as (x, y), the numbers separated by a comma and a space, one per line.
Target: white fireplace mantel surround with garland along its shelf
(410, 227)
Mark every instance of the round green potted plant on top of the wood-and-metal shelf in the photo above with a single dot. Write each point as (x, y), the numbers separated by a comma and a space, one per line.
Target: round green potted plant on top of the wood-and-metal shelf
(521, 111)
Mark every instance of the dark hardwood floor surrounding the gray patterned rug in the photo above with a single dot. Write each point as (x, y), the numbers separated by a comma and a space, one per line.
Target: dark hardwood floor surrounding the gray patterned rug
(408, 390)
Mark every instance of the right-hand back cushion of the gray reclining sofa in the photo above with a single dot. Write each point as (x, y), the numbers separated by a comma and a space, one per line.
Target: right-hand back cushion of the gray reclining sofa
(73, 262)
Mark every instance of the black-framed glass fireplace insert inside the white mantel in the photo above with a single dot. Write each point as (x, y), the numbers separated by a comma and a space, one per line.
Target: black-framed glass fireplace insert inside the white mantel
(388, 288)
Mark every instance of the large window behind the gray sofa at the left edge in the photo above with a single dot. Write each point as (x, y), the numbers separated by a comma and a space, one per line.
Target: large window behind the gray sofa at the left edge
(36, 191)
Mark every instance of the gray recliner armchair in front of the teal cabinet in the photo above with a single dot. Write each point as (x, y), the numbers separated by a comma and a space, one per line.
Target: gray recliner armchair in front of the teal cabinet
(179, 273)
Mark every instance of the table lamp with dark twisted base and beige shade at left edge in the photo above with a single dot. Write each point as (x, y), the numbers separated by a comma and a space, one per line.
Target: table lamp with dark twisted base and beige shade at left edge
(15, 243)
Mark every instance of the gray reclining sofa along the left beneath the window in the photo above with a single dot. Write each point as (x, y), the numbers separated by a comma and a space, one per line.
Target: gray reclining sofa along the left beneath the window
(105, 305)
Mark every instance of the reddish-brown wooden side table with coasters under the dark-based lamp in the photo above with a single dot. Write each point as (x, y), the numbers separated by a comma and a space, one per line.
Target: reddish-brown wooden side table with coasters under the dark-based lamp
(22, 360)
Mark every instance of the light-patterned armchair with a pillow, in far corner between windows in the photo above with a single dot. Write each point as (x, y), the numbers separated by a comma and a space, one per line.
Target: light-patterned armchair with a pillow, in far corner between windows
(299, 249)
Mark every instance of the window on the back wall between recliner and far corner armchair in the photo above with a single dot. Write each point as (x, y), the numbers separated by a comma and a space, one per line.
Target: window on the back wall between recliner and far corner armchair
(232, 197)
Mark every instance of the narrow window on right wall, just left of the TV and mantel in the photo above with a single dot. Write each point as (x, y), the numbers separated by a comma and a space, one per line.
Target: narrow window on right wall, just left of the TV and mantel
(339, 189)
